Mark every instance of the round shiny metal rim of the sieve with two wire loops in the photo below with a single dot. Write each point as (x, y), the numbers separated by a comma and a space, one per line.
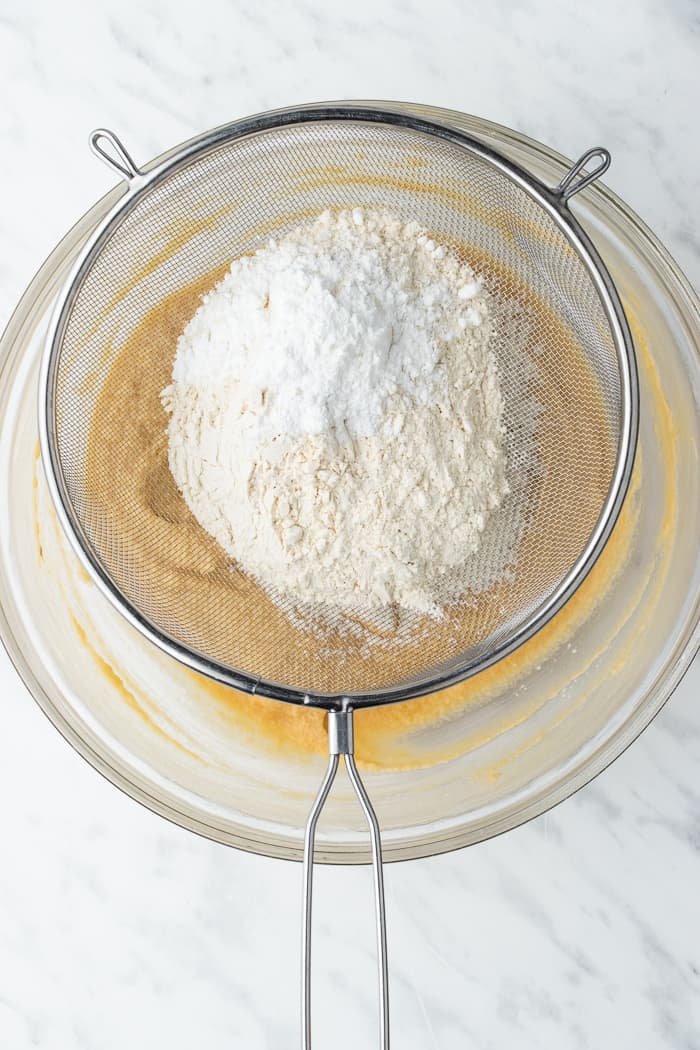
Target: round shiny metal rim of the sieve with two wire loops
(555, 202)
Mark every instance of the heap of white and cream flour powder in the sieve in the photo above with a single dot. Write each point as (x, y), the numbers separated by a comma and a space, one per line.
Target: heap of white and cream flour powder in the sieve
(336, 415)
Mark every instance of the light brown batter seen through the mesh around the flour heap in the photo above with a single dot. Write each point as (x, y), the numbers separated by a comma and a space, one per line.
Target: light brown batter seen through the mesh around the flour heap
(183, 578)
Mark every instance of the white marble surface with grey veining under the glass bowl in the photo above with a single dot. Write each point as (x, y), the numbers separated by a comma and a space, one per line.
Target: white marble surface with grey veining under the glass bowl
(117, 930)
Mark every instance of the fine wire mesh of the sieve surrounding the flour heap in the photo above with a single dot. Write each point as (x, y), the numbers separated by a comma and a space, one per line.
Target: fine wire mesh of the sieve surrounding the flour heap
(561, 376)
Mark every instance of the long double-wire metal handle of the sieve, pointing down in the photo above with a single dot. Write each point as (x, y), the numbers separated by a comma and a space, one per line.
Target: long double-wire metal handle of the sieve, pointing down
(342, 743)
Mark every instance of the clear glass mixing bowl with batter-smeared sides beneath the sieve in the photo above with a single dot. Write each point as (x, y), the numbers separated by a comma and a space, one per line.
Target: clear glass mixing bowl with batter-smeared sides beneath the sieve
(523, 743)
